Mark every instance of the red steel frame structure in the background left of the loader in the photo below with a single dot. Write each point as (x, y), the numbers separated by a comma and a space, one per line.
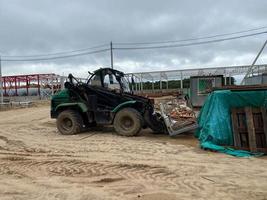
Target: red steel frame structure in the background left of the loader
(28, 81)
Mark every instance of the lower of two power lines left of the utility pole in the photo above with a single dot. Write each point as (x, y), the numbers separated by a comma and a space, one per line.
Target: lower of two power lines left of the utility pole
(57, 57)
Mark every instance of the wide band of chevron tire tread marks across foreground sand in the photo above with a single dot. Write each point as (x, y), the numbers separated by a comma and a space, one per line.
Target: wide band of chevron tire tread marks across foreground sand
(77, 168)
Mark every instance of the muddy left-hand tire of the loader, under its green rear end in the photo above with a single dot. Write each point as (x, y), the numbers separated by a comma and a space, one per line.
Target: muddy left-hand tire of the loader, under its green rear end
(69, 122)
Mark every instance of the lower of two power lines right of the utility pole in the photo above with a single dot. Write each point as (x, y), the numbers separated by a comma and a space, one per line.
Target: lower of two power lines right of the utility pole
(189, 44)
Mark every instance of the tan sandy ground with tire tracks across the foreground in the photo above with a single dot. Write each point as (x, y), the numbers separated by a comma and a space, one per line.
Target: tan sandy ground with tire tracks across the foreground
(36, 162)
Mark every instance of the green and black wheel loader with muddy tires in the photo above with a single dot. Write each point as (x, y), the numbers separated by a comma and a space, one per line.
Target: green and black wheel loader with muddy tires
(106, 99)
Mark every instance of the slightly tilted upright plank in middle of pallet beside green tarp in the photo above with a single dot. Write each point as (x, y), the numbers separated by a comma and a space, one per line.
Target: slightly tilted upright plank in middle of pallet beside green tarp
(251, 130)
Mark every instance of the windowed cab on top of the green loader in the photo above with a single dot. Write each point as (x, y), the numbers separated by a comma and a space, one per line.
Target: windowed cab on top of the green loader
(110, 79)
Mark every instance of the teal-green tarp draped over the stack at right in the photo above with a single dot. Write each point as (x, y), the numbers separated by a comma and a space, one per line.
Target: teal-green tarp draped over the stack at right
(215, 128)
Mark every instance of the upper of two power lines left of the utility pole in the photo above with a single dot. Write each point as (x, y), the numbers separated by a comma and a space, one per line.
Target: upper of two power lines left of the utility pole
(57, 53)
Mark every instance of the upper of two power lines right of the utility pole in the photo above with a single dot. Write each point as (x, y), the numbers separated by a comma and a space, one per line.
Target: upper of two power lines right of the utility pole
(189, 39)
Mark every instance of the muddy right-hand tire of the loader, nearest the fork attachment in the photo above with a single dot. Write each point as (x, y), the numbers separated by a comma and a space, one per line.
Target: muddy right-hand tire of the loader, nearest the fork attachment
(128, 122)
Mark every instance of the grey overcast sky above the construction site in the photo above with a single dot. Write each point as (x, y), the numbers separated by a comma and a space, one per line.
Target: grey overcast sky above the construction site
(31, 27)
